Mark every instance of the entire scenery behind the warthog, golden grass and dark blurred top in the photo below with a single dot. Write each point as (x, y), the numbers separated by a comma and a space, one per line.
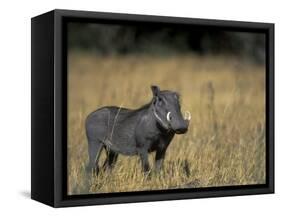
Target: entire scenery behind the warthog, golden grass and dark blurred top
(220, 76)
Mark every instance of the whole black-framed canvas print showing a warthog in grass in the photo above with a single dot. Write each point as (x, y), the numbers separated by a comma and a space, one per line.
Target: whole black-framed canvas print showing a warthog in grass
(134, 108)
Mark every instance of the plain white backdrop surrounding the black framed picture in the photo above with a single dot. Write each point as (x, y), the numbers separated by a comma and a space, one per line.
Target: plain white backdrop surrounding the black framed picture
(15, 106)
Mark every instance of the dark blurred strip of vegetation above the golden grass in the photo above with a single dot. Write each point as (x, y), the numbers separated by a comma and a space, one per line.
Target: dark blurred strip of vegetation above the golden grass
(105, 39)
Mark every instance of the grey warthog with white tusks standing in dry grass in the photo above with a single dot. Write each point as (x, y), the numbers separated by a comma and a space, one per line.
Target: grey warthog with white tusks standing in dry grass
(135, 132)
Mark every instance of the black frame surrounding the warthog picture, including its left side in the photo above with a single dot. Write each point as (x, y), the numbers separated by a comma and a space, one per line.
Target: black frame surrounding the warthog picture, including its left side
(49, 106)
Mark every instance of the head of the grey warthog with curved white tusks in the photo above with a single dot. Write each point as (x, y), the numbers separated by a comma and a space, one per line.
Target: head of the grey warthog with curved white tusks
(166, 108)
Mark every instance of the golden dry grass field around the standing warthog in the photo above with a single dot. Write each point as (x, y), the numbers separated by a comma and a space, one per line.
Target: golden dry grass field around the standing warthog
(225, 144)
